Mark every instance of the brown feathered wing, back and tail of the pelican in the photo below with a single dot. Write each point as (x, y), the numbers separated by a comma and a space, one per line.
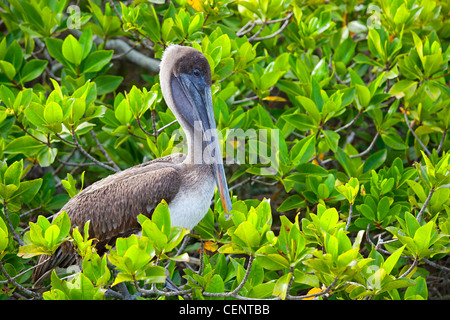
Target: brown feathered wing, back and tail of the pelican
(113, 204)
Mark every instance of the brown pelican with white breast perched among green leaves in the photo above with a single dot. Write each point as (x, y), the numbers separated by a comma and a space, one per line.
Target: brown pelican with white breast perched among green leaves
(185, 181)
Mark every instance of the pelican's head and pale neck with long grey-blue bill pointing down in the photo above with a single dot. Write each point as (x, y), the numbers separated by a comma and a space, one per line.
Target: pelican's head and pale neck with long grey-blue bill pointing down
(185, 77)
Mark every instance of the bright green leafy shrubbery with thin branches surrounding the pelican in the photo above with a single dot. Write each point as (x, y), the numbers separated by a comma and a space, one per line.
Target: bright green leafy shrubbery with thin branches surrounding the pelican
(359, 91)
